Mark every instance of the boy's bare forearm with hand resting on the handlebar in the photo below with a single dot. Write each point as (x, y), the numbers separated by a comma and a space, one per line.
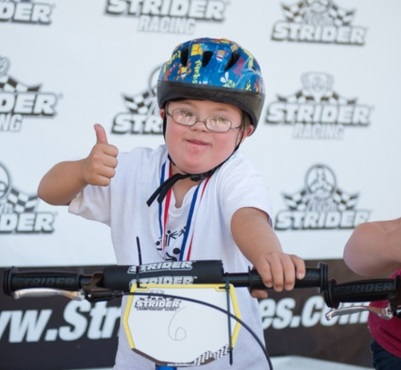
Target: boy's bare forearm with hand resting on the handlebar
(259, 243)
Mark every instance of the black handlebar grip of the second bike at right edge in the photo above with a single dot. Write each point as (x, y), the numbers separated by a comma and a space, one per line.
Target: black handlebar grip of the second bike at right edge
(360, 291)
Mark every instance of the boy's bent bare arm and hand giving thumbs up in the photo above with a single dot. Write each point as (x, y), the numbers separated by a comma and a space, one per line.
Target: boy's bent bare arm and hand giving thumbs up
(66, 179)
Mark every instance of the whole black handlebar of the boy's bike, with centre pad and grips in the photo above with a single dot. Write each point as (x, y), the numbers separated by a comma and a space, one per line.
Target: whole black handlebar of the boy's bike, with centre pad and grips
(120, 278)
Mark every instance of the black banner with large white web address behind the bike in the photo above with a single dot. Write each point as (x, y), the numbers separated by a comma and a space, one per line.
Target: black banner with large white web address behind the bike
(79, 334)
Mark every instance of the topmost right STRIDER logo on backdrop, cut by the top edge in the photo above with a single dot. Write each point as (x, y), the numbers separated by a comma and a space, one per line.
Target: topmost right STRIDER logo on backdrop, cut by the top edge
(318, 21)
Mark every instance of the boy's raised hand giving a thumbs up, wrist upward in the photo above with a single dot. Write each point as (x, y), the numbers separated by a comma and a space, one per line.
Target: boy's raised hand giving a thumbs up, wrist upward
(99, 166)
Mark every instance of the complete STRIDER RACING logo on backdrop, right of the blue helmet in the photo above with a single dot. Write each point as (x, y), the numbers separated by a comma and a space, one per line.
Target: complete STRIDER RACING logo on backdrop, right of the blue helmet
(317, 111)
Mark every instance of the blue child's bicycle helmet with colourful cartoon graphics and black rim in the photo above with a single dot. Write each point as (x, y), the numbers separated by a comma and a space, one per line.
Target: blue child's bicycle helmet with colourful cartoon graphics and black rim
(213, 69)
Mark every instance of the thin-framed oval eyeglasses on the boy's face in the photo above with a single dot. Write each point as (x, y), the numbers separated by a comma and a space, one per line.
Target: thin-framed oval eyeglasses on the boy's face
(186, 117)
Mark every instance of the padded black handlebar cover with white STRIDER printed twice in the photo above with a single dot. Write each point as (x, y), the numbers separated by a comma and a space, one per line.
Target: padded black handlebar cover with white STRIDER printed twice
(167, 272)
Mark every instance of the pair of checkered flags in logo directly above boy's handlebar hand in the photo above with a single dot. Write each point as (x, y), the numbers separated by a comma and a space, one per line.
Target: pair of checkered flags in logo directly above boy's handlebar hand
(302, 200)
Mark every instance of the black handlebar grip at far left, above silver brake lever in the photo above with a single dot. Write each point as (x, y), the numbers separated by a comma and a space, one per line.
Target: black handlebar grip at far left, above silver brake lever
(15, 280)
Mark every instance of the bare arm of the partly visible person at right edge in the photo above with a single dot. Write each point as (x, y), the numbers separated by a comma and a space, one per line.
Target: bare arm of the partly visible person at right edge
(374, 247)
